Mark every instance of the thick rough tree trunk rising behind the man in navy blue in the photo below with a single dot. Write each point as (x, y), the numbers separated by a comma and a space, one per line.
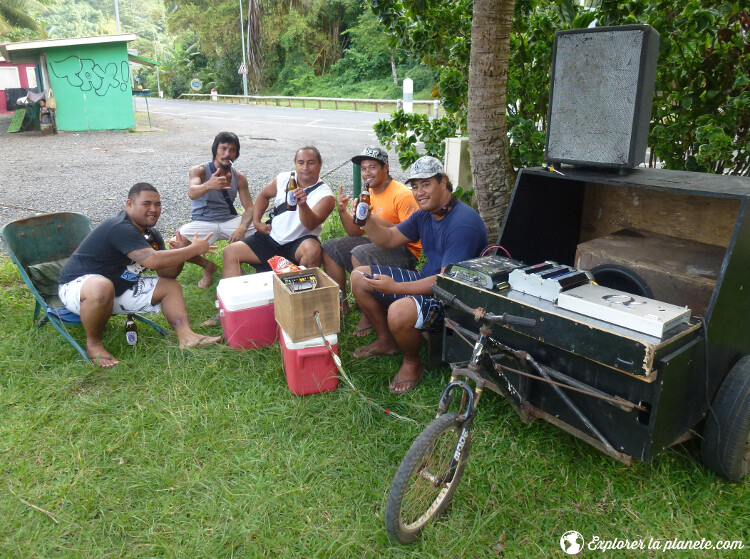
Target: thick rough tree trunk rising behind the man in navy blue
(493, 173)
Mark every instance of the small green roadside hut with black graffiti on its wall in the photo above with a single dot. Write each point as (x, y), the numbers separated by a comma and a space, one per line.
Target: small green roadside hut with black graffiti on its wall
(89, 77)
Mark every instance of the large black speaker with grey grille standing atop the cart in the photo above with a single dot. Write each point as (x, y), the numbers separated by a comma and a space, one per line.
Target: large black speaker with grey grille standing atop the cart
(601, 92)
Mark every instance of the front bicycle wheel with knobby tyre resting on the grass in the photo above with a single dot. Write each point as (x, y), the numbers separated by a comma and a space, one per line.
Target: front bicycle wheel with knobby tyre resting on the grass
(417, 496)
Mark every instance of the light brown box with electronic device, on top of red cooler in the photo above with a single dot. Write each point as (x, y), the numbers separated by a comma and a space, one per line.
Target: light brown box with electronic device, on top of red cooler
(295, 311)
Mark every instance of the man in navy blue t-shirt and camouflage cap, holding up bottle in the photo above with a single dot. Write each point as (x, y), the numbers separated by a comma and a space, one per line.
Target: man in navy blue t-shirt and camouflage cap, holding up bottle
(398, 302)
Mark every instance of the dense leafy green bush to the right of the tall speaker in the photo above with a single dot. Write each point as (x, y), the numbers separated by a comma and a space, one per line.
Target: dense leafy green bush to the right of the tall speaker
(701, 114)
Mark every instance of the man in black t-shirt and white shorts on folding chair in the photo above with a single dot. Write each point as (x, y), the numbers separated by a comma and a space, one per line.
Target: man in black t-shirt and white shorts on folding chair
(103, 276)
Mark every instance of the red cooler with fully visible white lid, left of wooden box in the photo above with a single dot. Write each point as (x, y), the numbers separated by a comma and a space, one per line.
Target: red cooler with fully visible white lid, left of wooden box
(245, 306)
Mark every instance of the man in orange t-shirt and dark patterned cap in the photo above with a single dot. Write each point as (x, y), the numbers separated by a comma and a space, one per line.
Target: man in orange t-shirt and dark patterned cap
(391, 202)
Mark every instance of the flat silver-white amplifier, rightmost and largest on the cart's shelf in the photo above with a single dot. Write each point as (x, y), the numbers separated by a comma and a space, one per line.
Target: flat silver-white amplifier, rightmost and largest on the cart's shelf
(623, 309)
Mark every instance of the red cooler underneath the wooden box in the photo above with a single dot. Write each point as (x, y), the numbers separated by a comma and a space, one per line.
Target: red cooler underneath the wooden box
(308, 364)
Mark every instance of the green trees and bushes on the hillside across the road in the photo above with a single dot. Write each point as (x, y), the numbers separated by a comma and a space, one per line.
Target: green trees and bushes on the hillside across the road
(299, 47)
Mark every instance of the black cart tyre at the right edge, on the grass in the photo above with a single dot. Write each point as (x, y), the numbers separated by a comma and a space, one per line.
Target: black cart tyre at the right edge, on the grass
(726, 436)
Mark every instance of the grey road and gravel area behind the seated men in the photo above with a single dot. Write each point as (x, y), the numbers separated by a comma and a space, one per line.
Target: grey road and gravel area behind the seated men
(90, 172)
